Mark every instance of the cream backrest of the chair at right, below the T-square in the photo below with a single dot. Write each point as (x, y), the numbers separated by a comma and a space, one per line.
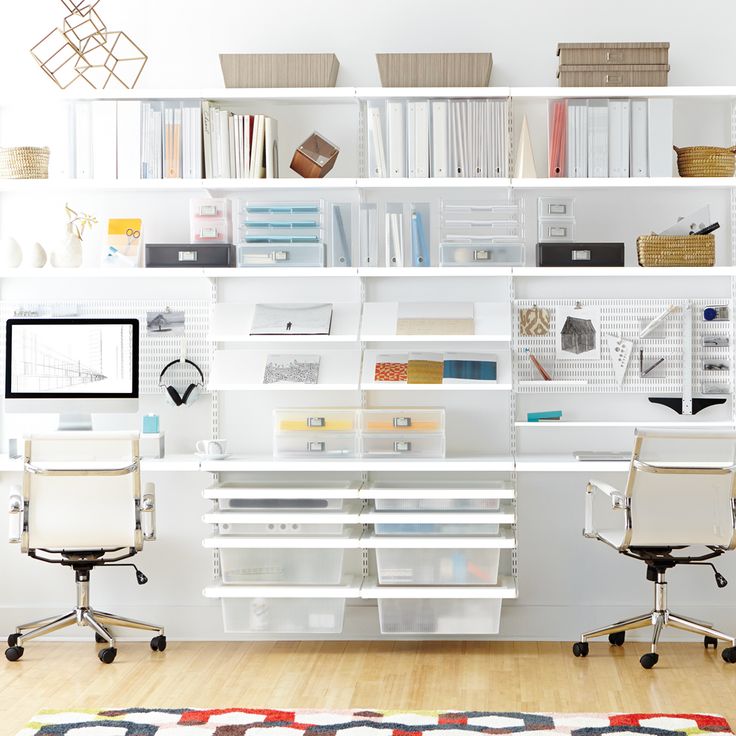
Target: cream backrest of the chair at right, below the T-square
(681, 486)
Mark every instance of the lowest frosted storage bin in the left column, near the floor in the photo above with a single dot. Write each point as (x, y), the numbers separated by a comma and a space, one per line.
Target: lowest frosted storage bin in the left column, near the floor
(283, 615)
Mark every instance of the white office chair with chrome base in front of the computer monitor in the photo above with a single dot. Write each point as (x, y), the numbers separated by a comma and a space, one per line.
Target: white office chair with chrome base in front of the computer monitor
(82, 508)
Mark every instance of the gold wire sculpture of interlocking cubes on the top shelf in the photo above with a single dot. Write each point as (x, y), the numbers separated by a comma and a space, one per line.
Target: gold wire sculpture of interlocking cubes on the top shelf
(83, 48)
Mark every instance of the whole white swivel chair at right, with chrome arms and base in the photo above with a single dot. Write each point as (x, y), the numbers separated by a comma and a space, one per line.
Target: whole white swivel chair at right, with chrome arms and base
(681, 492)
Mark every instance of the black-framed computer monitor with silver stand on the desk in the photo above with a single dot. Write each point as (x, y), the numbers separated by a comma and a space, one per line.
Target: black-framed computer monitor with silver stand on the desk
(73, 367)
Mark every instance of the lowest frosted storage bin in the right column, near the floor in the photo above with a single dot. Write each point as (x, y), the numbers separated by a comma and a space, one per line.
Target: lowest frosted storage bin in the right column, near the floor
(439, 615)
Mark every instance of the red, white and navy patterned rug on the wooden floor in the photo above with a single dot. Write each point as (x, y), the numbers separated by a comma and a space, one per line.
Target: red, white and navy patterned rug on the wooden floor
(253, 722)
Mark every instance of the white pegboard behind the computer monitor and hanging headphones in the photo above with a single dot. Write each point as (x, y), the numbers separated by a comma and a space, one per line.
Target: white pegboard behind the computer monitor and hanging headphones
(155, 349)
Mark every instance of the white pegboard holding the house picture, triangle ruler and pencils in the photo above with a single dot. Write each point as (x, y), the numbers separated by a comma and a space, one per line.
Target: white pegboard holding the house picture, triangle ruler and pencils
(624, 319)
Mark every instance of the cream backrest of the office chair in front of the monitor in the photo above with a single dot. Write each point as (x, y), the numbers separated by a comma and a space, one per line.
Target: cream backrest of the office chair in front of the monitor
(83, 507)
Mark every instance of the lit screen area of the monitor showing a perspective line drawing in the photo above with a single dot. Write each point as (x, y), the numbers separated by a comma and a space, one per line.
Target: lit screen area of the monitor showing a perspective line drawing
(94, 359)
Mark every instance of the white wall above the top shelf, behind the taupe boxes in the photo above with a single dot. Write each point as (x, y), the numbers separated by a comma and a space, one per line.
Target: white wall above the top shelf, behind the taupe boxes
(183, 38)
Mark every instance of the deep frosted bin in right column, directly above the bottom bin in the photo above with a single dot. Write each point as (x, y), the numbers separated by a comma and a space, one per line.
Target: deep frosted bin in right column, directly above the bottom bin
(437, 566)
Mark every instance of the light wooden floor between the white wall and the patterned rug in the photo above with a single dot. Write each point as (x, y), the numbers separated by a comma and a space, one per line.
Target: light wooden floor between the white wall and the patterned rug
(406, 675)
